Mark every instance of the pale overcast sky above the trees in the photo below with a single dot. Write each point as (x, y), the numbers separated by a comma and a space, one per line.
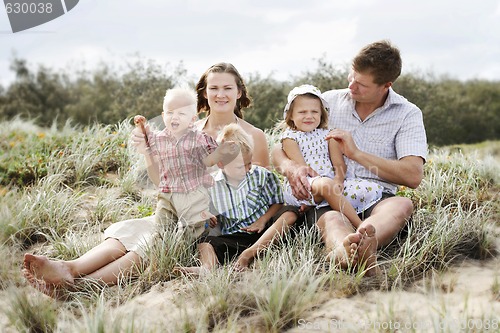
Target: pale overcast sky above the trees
(460, 38)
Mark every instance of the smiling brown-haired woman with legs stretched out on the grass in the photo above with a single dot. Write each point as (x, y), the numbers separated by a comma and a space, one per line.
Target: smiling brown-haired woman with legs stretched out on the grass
(222, 94)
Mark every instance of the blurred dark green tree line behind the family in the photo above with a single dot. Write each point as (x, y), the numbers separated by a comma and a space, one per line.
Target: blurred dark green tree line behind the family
(455, 112)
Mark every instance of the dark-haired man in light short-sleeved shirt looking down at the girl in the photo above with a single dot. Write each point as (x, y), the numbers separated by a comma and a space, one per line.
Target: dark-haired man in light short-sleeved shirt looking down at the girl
(383, 135)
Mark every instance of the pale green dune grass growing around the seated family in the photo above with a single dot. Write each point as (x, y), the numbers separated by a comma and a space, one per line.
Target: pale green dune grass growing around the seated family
(79, 189)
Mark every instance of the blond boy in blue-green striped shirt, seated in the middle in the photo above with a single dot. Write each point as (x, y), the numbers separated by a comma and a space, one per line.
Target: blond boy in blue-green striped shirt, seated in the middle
(246, 197)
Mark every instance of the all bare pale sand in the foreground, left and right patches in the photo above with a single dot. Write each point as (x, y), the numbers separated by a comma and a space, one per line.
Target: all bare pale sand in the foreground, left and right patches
(461, 299)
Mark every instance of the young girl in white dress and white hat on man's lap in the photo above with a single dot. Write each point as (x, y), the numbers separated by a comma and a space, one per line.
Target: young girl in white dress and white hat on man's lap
(303, 140)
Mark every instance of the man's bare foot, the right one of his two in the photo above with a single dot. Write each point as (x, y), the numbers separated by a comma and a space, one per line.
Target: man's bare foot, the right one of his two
(367, 249)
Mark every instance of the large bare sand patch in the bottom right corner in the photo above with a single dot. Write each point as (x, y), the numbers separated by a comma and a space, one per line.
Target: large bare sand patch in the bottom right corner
(461, 296)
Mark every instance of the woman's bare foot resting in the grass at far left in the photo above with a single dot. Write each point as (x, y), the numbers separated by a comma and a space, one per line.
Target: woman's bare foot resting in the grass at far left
(55, 273)
